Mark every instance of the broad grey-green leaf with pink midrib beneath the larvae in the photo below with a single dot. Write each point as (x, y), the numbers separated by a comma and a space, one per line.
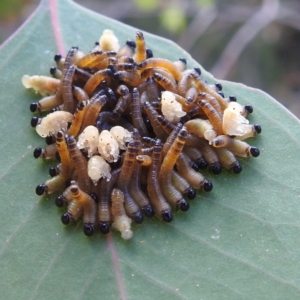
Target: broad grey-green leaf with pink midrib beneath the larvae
(240, 241)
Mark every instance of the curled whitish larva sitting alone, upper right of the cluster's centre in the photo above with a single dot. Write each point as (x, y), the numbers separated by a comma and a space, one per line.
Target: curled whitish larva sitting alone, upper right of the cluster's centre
(171, 109)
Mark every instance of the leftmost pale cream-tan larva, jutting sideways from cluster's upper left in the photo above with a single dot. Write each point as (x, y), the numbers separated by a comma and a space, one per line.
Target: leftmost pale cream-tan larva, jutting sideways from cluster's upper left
(41, 84)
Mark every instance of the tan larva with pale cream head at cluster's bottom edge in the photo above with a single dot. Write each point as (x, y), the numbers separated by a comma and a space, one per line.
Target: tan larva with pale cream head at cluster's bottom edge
(121, 222)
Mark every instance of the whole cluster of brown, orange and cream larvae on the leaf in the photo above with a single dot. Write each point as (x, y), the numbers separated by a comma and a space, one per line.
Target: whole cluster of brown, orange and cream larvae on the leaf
(131, 132)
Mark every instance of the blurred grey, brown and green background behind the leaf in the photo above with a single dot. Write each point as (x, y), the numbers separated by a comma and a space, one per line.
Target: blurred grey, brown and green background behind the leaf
(253, 42)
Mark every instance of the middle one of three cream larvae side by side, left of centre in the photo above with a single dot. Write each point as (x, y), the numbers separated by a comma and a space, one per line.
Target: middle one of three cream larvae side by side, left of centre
(108, 146)
